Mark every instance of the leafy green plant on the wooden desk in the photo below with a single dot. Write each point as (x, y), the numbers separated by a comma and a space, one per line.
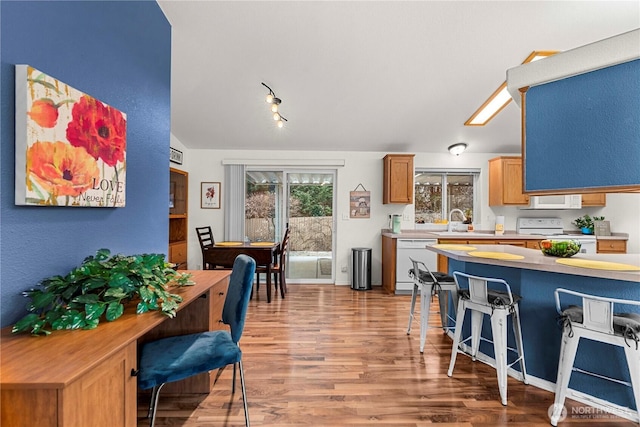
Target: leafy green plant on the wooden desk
(101, 285)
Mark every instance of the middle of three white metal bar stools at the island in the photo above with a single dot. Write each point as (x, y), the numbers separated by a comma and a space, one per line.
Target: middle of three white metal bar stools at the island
(498, 304)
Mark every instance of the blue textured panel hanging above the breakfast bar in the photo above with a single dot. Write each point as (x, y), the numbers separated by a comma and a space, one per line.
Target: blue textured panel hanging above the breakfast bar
(584, 131)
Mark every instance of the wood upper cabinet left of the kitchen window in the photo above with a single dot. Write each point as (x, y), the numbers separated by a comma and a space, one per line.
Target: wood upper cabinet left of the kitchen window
(398, 179)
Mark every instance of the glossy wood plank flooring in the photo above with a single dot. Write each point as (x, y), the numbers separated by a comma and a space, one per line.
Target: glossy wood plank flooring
(331, 356)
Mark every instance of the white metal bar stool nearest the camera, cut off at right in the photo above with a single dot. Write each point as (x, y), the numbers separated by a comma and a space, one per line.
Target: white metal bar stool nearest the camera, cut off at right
(596, 320)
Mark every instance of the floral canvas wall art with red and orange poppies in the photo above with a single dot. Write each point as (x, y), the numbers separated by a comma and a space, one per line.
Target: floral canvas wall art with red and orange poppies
(70, 147)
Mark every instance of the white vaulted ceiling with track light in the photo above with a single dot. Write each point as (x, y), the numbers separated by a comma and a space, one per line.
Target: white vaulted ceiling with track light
(388, 76)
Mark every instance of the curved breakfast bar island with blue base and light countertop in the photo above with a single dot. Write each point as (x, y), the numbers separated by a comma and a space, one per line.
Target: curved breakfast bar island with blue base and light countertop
(535, 277)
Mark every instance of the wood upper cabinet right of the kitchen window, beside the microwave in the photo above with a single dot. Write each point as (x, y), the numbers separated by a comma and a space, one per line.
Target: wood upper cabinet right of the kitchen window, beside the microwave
(505, 182)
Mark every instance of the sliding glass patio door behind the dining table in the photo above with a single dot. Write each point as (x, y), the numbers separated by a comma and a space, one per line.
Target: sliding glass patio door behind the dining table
(303, 199)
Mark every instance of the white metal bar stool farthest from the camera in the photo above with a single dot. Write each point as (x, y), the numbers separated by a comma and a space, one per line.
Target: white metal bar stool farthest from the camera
(429, 284)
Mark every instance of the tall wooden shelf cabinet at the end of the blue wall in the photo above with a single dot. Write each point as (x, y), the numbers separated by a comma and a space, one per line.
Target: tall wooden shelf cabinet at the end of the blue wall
(178, 207)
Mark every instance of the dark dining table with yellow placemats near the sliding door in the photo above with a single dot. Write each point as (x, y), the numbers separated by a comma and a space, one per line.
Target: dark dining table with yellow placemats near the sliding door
(222, 254)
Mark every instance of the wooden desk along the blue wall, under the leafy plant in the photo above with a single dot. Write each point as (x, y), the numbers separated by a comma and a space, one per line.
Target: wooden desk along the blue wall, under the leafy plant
(84, 378)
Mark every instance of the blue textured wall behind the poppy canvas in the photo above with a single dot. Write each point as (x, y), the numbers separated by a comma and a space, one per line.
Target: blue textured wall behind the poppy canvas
(120, 53)
